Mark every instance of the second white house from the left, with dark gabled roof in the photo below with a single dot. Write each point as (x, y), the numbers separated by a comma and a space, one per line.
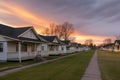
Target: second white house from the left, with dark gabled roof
(55, 46)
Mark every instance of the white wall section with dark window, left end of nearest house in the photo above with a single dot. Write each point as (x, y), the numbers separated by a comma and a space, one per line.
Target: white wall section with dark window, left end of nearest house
(3, 53)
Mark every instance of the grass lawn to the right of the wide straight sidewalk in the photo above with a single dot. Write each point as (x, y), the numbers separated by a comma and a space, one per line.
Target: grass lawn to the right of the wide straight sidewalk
(109, 65)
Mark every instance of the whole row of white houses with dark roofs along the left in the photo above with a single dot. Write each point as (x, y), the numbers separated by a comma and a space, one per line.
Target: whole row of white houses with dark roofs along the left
(24, 43)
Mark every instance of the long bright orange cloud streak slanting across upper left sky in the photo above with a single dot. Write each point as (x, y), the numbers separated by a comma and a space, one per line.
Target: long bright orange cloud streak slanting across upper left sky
(24, 14)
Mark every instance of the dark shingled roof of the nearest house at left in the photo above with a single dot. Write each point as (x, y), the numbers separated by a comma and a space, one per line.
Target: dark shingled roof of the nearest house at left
(15, 32)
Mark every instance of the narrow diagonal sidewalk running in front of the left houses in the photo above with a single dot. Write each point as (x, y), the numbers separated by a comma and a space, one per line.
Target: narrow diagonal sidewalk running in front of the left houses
(3, 73)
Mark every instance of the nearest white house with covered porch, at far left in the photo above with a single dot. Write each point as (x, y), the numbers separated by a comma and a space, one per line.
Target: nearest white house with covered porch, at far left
(18, 43)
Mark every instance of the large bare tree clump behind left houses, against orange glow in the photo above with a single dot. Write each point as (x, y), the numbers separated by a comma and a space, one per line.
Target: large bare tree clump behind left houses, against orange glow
(62, 31)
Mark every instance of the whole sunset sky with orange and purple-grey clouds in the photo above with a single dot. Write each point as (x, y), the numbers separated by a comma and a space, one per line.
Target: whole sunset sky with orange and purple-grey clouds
(92, 19)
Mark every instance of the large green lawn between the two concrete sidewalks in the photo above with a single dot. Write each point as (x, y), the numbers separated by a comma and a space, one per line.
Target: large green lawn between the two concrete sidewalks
(69, 68)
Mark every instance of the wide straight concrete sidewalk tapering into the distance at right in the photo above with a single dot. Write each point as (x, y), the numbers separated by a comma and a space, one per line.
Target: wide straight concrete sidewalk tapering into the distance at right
(92, 72)
